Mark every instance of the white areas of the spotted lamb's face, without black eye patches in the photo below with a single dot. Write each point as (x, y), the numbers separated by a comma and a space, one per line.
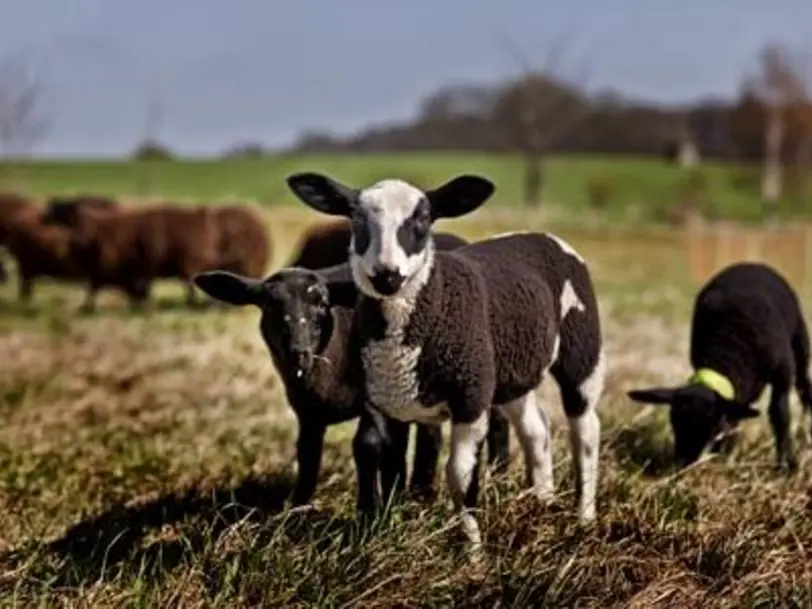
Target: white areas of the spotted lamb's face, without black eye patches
(386, 205)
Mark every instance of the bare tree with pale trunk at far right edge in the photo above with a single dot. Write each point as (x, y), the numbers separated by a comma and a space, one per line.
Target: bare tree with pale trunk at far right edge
(782, 84)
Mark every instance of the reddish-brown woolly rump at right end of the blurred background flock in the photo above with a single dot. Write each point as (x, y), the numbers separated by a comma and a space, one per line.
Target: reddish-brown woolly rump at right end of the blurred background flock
(244, 243)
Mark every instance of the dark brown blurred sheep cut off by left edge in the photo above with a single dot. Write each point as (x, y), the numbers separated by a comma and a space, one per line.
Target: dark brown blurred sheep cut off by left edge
(39, 250)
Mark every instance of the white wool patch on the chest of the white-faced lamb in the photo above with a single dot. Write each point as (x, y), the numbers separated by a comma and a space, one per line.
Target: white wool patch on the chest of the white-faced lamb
(390, 367)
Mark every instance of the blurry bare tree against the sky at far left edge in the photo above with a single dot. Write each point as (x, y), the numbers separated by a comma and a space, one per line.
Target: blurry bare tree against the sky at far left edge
(22, 117)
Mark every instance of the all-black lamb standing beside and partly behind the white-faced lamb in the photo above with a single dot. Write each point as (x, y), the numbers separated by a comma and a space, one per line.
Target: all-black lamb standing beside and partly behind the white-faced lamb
(315, 348)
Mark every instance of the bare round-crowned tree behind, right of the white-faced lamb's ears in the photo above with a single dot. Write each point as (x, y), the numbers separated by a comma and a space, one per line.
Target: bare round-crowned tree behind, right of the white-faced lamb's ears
(536, 111)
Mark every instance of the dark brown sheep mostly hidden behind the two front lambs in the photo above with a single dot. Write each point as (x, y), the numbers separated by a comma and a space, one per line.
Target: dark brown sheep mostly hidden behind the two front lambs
(328, 244)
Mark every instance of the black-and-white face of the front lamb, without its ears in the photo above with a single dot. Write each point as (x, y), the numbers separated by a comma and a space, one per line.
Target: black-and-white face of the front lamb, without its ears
(391, 246)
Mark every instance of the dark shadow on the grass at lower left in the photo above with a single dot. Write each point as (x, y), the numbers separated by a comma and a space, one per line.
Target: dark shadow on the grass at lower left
(111, 544)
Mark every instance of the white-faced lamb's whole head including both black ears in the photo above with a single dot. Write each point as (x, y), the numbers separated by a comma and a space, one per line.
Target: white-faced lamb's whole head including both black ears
(391, 249)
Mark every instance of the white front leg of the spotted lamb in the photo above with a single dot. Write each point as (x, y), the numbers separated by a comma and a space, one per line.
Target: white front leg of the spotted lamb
(465, 440)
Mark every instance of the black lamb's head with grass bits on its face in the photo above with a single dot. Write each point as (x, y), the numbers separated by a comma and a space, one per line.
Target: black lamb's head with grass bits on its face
(296, 321)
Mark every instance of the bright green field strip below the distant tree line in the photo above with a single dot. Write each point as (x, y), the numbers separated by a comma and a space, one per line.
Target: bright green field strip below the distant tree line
(632, 189)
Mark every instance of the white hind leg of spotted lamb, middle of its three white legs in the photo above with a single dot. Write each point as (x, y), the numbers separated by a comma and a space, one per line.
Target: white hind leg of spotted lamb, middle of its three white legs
(533, 430)
